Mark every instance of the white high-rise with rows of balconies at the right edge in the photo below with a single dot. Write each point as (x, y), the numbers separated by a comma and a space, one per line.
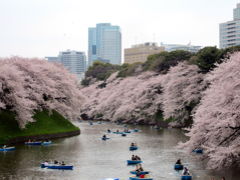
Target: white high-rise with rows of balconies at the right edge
(229, 32)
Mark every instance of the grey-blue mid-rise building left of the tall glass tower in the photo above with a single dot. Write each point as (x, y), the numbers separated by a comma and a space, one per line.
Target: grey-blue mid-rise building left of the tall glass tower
(74, 61)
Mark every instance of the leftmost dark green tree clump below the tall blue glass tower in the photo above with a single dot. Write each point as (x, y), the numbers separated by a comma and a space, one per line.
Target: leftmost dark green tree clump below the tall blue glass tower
(100, 71)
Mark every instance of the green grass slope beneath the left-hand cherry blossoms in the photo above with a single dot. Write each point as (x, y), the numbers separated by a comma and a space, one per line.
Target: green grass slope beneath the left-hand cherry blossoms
(45, 124)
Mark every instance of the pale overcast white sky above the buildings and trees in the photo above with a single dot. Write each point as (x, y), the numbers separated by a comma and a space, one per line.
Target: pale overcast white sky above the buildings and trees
(40, 28)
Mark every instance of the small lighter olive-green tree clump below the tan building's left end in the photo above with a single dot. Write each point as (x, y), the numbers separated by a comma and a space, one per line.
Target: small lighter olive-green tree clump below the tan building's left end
(130, 69)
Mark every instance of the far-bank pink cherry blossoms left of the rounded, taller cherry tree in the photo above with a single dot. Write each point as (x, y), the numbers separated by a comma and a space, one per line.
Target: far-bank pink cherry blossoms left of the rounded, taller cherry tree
(131, 99)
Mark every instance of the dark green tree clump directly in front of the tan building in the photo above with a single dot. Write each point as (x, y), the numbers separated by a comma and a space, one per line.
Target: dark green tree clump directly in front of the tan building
(163, 61)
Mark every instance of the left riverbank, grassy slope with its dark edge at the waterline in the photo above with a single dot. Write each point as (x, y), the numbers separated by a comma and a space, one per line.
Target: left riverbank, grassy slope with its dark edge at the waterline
(47, 126)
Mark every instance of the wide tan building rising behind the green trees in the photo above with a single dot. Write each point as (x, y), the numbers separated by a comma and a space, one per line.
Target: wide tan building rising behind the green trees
(140, 52)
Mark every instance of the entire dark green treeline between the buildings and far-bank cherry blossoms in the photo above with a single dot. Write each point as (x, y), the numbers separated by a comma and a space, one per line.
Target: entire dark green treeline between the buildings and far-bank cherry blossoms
(205, 59)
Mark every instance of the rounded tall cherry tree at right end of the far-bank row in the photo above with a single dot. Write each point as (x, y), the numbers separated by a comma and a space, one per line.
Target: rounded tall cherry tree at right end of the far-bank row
(182, 87)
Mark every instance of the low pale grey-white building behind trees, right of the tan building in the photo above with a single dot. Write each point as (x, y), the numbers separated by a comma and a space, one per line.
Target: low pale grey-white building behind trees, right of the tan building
(187, 47)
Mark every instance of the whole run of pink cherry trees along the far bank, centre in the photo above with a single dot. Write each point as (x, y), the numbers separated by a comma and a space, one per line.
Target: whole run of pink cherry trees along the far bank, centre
(139, 98)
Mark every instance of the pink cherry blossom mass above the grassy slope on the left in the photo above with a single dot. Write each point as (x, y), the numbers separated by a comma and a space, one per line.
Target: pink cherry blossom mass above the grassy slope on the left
(30, 85)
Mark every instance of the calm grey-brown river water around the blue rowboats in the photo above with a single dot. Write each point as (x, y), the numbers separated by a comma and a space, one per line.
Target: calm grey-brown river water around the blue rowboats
(94, 159)
